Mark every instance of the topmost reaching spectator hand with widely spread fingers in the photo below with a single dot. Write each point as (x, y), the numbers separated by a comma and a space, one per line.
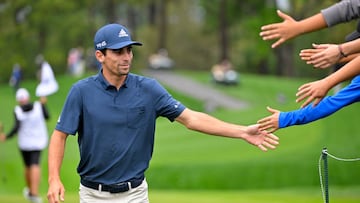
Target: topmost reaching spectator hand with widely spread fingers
(281, 31)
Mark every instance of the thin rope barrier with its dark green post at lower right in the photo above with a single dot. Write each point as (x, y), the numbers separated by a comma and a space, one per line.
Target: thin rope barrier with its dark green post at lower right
(323, 156)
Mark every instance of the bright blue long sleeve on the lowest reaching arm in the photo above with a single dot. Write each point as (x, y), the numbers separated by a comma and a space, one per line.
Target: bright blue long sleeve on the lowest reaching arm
(326, 107)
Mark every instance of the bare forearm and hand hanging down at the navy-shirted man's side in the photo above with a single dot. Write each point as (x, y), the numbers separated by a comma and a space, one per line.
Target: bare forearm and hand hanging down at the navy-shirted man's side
(56, 189)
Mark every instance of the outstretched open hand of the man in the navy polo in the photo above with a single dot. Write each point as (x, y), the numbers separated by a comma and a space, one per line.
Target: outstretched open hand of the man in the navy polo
(262, 139)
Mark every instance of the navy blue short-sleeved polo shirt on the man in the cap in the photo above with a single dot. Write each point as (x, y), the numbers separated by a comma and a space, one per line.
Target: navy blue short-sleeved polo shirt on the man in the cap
(115, 128)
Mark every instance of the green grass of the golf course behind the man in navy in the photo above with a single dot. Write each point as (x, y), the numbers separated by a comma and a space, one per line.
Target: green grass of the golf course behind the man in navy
(191, 167)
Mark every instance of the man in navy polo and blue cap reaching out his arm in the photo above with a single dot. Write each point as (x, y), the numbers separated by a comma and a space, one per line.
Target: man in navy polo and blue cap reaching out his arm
(114, 115)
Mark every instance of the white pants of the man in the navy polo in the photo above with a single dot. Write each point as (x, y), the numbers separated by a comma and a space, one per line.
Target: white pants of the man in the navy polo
(134, 195)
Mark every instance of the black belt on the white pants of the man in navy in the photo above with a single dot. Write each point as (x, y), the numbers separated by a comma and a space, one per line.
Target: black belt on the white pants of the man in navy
(113, 188)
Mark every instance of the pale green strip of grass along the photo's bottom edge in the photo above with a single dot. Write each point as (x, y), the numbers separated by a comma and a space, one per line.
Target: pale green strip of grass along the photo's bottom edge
(293, 195)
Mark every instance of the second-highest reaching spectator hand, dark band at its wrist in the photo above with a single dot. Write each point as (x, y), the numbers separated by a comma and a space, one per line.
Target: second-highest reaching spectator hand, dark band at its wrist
(321, 56)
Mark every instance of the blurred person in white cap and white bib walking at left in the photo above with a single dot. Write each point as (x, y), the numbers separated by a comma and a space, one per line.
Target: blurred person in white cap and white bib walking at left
(30, 125)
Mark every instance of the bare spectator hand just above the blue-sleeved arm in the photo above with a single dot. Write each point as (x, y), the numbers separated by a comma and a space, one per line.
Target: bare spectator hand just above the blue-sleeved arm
(313, 91)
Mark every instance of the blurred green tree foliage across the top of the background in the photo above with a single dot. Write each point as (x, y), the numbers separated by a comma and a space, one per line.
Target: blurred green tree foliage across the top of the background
(54, 27)
